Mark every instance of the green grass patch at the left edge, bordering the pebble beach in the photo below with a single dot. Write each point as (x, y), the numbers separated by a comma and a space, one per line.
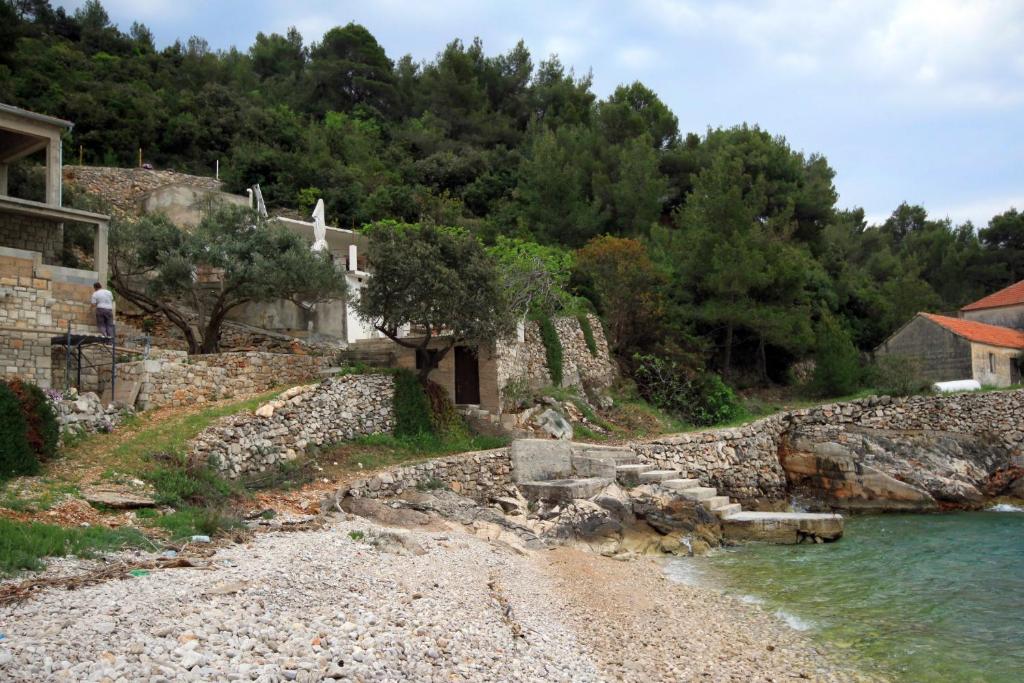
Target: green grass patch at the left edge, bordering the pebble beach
(24, 545)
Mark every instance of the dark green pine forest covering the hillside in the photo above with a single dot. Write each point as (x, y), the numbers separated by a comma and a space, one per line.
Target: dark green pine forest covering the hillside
(723, 249)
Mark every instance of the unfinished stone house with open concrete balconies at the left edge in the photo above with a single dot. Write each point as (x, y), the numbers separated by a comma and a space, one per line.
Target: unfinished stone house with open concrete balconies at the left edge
(40, 298)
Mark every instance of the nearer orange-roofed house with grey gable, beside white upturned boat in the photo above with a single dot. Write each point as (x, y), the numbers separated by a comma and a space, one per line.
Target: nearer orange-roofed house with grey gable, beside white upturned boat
(956, 349)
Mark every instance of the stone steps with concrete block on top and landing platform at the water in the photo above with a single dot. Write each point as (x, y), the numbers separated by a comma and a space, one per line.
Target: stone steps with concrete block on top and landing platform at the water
(543, 474)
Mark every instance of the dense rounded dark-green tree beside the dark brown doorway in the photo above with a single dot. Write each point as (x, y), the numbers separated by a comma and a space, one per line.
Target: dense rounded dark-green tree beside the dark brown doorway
(438, 281)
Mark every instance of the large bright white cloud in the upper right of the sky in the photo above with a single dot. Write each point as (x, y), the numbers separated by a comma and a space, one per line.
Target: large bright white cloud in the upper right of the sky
(964, 53)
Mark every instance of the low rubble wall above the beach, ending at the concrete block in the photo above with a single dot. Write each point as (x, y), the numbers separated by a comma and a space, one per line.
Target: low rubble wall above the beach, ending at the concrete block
(479, 476)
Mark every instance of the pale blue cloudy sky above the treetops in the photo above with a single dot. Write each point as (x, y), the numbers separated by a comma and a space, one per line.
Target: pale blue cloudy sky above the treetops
(915, 101)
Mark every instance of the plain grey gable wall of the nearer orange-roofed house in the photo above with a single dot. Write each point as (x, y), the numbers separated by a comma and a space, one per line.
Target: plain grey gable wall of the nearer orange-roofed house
(945, 357)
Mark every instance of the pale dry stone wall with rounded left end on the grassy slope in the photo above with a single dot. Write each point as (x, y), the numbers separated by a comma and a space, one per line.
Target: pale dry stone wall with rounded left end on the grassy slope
(337, 409)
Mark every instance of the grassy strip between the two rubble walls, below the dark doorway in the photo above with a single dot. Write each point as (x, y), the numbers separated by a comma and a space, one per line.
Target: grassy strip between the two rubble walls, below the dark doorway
(378, 451)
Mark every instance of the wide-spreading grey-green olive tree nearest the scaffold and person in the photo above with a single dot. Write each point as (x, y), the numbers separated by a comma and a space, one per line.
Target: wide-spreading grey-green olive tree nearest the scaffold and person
(230, 260)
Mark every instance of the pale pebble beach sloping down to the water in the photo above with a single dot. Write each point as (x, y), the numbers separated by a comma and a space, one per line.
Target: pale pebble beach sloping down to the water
(409, 607)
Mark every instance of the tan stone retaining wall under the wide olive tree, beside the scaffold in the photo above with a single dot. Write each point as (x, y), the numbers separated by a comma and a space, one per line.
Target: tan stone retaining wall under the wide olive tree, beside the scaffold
(178, 379)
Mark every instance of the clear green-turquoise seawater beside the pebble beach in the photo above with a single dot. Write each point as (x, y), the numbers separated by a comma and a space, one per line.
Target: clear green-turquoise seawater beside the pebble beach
(916, 597)
